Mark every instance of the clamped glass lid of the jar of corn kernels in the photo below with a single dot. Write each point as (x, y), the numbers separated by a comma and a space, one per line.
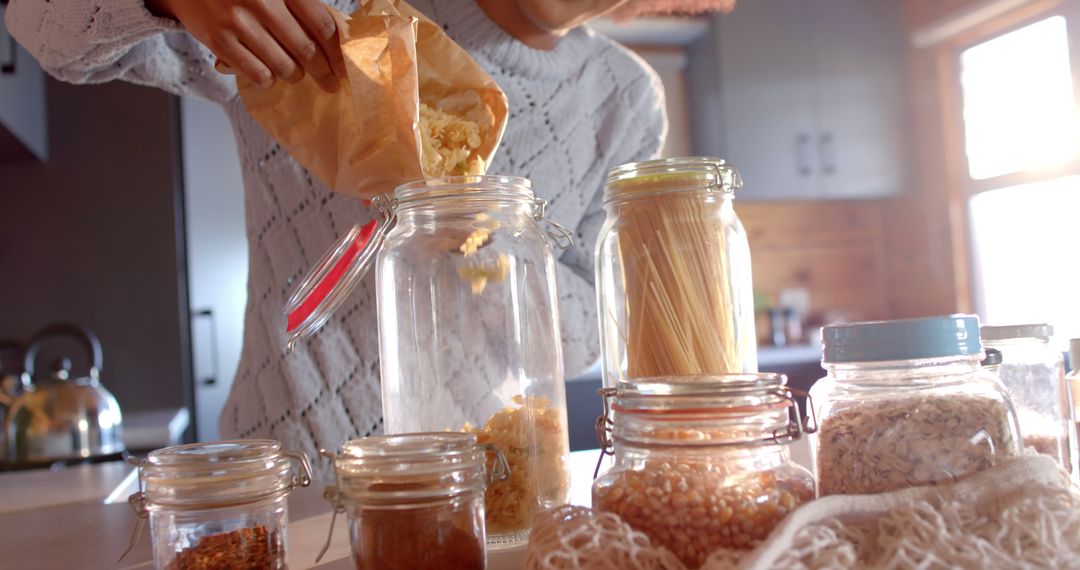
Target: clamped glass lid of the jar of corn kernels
(737, 410)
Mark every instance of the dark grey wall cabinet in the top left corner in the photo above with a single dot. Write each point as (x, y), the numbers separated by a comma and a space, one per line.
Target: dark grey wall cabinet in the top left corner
(23, 128)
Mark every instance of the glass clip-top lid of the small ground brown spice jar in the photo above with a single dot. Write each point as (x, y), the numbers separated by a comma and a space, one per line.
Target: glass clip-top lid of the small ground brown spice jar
(410, 468)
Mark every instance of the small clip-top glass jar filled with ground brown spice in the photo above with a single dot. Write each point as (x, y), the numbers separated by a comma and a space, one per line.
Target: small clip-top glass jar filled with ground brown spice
(416, 500)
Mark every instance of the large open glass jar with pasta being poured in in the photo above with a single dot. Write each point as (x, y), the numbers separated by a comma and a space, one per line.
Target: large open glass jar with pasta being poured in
(469, 333)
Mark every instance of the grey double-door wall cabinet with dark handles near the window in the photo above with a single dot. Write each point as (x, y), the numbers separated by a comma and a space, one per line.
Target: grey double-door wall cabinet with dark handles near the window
(807, 100)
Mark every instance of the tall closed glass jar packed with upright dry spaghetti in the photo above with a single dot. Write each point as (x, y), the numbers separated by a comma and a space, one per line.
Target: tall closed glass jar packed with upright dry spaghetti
(673, 274)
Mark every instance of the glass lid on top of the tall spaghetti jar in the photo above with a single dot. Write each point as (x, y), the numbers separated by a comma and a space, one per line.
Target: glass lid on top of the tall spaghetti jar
(671, 175)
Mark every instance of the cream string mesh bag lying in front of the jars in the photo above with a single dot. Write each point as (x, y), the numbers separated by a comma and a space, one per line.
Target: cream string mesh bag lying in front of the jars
(1022, 514)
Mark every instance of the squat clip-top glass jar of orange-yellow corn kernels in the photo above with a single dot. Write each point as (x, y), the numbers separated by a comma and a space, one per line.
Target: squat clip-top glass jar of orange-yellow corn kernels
(705, 465)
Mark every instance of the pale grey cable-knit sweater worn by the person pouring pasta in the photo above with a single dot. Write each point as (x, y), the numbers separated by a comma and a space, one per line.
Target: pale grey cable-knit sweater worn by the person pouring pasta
(576, 112)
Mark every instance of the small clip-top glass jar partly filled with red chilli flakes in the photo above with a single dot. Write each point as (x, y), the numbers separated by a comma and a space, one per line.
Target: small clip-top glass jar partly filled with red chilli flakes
(220, 506)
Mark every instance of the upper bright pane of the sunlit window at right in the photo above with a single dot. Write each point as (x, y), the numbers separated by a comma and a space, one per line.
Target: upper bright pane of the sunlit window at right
(1019, 111)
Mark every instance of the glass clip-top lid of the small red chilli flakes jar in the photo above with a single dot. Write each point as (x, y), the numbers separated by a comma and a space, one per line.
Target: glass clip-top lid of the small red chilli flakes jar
(221, 473)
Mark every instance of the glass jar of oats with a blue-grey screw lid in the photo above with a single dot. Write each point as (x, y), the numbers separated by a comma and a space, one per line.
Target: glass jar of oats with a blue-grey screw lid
(907, 404)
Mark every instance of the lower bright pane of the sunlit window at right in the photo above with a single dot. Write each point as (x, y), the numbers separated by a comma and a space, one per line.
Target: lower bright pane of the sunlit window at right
(1027, 241)
